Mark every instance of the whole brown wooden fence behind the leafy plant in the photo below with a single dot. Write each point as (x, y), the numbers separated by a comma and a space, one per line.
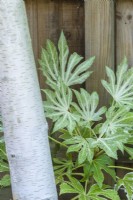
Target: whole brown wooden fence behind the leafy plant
(103, 28)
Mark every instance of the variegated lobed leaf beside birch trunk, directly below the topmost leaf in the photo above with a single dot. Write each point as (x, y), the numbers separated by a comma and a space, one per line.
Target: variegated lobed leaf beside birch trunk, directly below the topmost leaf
(57, 108)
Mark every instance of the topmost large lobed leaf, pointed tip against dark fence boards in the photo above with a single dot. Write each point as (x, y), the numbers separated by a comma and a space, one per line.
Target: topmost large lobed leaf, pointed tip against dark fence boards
(59, 67)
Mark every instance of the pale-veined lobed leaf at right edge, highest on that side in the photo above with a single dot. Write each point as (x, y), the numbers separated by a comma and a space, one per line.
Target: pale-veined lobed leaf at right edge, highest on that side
(120, 86)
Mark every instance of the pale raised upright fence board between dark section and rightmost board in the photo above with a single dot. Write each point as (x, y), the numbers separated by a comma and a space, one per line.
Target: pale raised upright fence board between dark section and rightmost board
(99, 42)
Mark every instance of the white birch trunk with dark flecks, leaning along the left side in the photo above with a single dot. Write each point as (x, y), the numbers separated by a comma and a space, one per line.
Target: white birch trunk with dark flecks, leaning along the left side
(25, 126)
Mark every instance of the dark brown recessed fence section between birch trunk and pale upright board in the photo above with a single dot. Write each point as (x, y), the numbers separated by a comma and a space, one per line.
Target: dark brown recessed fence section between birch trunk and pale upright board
(46, 20)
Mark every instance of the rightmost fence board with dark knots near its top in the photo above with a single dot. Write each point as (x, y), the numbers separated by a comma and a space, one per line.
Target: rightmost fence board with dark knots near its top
(124, 30)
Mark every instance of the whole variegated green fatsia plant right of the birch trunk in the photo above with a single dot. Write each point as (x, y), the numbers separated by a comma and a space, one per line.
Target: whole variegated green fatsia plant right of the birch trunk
(89, 137)
